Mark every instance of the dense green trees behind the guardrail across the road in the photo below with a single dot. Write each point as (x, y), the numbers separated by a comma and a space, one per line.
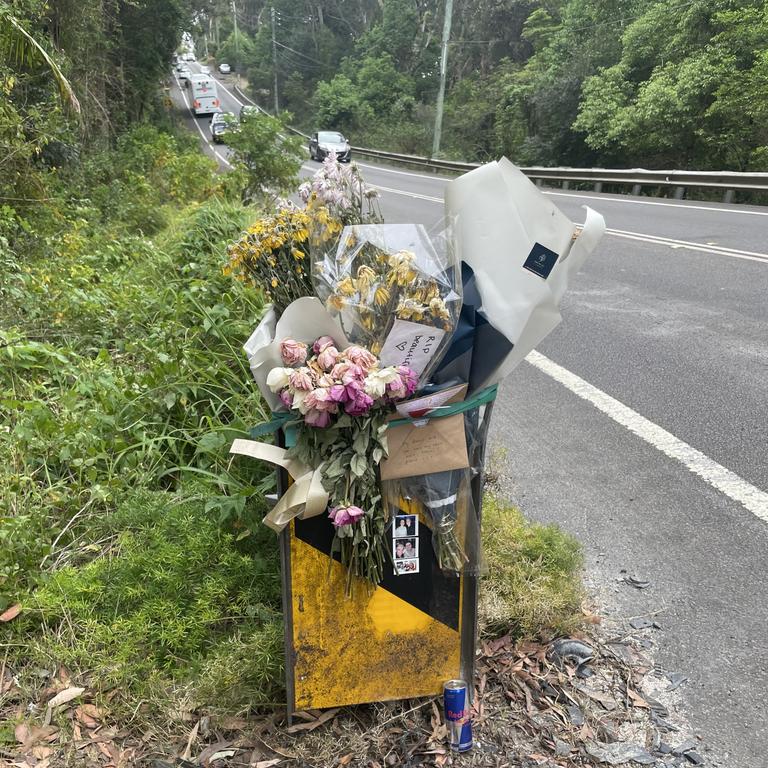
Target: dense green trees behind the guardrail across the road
(582, 82)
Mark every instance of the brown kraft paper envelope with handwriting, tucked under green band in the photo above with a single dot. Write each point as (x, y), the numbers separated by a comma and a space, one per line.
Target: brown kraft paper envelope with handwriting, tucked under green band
(437, 446)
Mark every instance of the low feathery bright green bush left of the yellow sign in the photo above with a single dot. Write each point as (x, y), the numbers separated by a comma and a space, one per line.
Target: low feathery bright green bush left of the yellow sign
(172, 600)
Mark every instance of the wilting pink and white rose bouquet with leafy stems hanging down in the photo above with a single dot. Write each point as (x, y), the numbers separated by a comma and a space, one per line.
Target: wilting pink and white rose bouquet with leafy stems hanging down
(341, 399)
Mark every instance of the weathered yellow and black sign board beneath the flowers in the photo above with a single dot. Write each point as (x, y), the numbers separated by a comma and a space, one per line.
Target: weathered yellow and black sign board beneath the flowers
(400, 640)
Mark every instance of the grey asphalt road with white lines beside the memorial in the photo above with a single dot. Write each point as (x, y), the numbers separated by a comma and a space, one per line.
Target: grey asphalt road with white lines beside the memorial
(641, 426)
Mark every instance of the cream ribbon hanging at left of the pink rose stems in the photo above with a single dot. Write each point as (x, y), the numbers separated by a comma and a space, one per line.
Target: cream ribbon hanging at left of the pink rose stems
(305, 498)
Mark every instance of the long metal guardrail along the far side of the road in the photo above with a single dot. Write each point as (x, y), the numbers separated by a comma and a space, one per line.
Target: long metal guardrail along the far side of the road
(637, 178)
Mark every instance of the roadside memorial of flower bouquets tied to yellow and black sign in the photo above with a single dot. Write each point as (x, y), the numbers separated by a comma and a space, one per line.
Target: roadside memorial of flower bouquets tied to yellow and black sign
(380, 359)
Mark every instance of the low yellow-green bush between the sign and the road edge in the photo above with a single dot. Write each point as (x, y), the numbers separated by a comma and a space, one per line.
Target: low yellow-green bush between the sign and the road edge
(533, 586)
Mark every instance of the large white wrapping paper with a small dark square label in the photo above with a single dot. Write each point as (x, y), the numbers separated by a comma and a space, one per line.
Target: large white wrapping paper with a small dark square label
(500, 216)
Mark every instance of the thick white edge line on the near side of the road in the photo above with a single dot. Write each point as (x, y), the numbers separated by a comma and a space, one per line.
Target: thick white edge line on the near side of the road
(720, 478)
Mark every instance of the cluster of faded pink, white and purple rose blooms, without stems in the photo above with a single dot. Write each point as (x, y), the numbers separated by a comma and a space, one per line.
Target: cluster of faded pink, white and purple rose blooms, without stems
(321, 382)
